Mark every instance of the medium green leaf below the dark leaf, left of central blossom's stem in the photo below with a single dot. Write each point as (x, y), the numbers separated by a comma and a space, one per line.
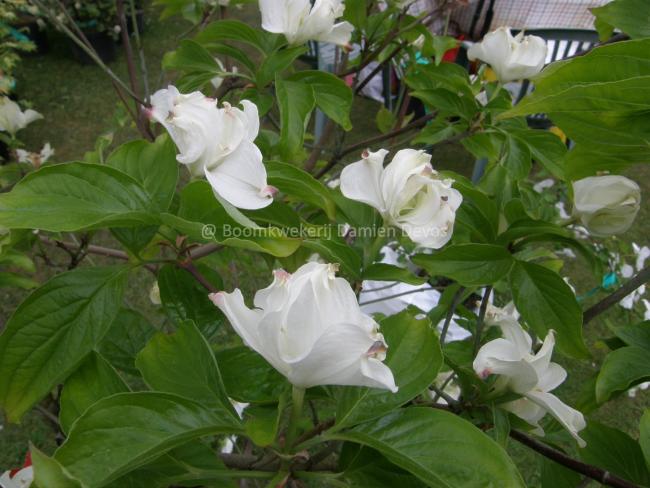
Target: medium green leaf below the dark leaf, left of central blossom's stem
(183, 363)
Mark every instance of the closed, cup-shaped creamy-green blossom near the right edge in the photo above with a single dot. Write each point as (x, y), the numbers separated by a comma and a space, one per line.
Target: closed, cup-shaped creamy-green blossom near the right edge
(606, 205)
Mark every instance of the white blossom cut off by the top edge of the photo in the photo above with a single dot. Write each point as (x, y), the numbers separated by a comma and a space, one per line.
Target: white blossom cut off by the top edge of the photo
(300, 22)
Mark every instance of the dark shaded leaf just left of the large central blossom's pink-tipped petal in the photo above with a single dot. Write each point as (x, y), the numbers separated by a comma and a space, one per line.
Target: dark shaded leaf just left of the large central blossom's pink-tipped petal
(183, 298)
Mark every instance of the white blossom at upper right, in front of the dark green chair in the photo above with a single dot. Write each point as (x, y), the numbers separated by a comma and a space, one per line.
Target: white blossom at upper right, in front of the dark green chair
(512, 58)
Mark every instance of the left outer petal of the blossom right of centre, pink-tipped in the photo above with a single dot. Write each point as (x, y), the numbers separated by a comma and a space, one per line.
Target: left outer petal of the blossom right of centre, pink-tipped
(360, 181)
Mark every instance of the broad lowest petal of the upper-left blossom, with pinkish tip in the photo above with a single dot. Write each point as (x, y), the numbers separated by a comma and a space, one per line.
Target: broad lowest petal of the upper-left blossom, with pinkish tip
(241, 178)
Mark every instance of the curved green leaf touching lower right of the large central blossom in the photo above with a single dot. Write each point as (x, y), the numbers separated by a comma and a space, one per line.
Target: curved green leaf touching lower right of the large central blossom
(414, 357)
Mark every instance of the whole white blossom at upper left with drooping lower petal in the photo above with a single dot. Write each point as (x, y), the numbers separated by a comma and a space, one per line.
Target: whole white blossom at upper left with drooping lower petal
(217, 143)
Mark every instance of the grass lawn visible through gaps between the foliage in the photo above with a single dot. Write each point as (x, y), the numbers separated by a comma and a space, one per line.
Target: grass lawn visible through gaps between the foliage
(79, 104)
